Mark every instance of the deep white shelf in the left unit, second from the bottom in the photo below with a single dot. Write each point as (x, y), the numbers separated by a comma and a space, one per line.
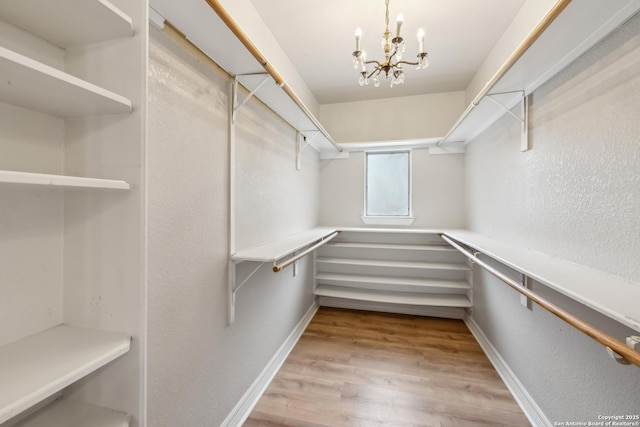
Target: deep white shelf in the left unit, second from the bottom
(36, 367)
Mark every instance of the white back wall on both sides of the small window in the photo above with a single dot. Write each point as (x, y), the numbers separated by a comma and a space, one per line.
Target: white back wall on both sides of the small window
(438, 190)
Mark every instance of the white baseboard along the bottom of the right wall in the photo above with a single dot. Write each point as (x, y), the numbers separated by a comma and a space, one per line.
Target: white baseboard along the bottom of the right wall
(531, 410)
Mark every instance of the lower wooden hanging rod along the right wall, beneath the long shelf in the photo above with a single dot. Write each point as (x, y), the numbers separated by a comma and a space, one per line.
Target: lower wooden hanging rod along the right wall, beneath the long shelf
(602, 337)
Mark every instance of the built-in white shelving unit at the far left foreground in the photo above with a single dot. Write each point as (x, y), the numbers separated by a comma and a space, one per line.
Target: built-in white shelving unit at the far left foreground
(75, 272)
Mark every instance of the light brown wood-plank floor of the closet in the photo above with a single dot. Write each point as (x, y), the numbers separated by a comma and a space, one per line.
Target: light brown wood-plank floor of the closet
(353, 368)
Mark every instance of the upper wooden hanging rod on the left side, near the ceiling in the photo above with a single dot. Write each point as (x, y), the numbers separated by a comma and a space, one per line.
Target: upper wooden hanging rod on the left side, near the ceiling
(235, 29)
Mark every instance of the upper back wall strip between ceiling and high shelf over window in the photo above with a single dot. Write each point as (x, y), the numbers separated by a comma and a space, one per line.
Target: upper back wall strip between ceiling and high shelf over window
(410, 117)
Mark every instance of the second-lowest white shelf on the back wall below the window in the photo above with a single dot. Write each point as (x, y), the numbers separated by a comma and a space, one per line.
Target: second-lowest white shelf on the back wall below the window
(398, 283)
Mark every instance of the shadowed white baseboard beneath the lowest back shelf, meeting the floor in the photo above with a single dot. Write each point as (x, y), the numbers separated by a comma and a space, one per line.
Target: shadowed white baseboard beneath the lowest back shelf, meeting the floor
(416, 310)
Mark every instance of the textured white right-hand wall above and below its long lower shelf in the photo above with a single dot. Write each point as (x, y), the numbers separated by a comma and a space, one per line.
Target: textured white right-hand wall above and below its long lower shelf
(574, 196)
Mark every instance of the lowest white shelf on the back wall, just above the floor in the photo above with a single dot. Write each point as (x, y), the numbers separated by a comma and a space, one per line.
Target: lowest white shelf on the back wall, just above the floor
(388, 297)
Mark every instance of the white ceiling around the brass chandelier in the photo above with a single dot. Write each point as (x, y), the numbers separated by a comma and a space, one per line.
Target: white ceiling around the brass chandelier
(318, 36)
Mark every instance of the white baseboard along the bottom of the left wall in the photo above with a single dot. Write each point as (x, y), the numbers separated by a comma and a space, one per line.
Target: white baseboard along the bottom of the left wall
(243, 408)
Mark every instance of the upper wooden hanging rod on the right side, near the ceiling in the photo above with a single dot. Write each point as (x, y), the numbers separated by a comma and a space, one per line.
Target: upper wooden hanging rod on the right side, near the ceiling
(511, 61)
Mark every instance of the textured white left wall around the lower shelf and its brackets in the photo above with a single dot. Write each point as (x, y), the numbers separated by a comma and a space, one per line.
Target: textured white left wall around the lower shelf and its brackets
(198, 366)
